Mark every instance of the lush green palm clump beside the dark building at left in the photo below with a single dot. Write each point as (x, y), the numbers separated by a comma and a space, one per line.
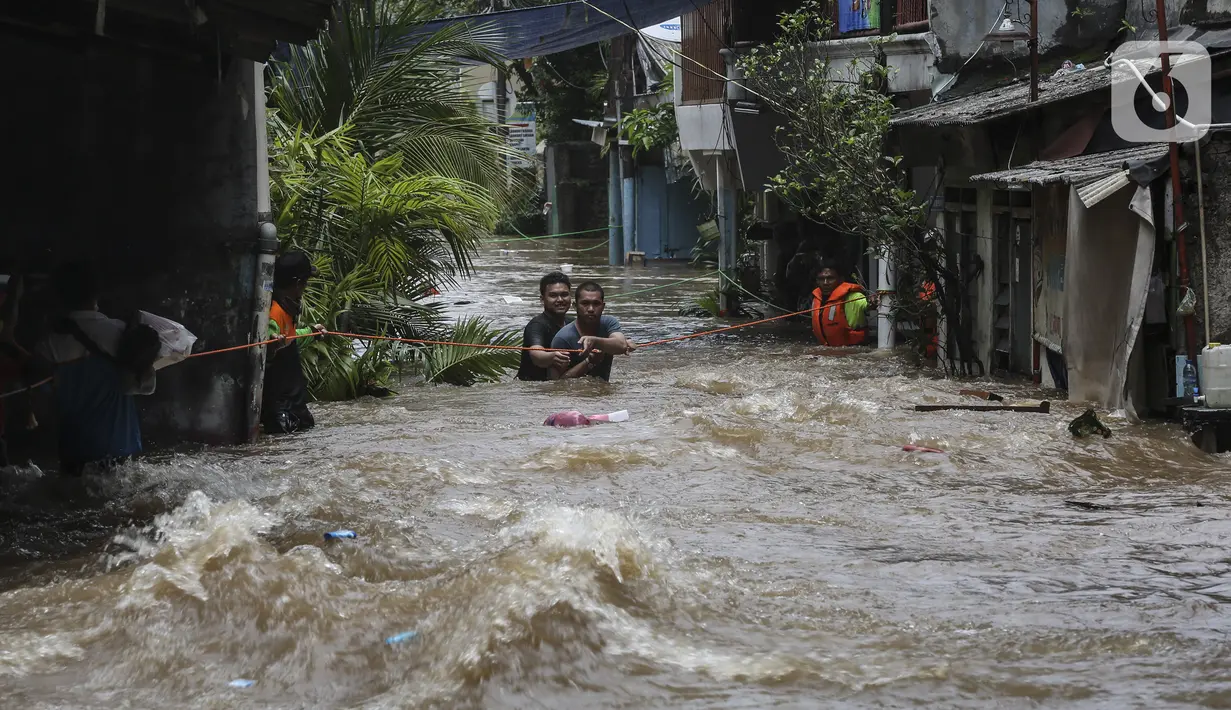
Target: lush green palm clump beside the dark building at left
(385, 172)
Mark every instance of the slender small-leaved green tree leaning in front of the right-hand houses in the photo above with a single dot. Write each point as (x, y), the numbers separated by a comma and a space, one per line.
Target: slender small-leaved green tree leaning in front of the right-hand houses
(838, 172)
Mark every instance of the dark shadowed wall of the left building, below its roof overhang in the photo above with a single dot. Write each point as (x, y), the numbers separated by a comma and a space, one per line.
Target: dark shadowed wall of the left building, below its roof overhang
(145, 166)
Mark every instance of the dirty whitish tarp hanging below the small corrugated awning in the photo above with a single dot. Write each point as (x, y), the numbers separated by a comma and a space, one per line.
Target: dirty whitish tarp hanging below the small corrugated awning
(1111, 252)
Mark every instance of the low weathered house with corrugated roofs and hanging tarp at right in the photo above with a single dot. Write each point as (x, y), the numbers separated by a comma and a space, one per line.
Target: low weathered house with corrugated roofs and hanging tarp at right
(1074, 222)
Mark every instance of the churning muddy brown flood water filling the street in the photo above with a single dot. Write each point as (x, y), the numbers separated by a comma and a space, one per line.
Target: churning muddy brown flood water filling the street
(754, 537)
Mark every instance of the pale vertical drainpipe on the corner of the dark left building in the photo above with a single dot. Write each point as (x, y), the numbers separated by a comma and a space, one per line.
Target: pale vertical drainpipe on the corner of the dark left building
(267, 253)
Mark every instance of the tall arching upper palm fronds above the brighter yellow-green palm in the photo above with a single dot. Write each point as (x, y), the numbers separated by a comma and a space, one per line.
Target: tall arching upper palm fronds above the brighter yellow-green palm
(398, 88)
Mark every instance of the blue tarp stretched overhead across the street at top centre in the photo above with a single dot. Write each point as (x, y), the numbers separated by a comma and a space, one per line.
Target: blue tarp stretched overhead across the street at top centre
(540, 31)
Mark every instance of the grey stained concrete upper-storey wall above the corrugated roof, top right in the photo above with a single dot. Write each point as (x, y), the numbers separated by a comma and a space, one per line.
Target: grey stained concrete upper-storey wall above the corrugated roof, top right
(962, 25)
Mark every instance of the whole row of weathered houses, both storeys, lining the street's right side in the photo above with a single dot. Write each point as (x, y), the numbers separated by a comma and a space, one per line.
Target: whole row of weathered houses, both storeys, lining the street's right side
(1010, 178)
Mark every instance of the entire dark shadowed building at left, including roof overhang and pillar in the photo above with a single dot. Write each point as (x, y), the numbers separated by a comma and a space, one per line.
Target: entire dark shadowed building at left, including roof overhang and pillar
(141, 137)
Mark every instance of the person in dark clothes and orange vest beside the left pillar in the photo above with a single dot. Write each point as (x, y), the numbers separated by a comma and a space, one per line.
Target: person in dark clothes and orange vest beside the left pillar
(285, 402)
